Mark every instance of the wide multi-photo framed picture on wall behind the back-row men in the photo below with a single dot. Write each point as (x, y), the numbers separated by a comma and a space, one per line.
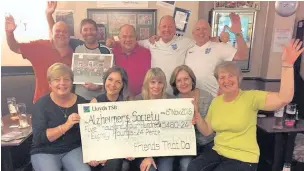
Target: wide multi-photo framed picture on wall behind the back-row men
(109, 21)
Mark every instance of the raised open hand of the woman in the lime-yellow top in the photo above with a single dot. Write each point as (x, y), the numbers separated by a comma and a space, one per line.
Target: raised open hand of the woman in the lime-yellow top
(291, 52)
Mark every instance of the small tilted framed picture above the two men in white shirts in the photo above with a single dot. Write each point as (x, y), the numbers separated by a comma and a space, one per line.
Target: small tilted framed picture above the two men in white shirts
(181, 17)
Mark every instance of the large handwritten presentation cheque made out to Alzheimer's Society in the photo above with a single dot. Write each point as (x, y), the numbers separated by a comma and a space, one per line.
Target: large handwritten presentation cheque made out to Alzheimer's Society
(143, 128)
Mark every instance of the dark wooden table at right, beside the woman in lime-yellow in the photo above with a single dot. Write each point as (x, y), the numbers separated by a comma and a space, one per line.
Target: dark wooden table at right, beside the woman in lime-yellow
(266, 124)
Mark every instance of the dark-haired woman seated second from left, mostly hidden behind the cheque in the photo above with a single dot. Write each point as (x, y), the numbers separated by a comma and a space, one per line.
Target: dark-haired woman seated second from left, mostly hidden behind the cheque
(115, 83)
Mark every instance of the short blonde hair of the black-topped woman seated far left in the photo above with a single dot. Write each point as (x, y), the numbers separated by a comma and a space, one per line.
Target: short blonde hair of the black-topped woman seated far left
(57, 70)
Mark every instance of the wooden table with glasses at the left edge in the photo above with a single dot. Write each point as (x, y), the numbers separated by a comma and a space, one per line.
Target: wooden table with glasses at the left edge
(7, 164)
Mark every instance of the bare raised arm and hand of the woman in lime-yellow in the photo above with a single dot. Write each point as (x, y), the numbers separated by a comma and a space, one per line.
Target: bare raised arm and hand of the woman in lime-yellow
(276, 100)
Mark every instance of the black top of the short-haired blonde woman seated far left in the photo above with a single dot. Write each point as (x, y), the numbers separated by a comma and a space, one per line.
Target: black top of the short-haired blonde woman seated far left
(46, 115)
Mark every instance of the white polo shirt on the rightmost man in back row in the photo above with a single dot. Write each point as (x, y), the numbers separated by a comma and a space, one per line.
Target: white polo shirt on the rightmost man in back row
(203, 60)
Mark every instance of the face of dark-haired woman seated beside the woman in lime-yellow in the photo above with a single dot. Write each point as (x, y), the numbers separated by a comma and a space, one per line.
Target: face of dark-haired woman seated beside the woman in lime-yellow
(183, 82)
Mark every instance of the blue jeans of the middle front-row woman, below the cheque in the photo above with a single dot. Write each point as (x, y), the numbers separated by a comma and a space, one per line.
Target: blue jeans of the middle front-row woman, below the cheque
(162, 163)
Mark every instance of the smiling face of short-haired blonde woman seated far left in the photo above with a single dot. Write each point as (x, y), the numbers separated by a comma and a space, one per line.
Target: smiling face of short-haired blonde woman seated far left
(61, 85)
